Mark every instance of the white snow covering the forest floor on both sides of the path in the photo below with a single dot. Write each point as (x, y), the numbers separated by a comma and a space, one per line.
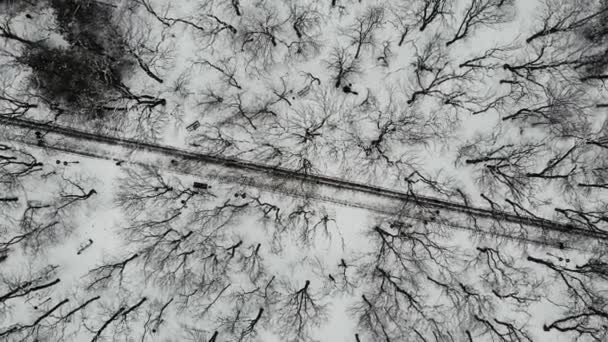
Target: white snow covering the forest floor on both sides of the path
(161, 260)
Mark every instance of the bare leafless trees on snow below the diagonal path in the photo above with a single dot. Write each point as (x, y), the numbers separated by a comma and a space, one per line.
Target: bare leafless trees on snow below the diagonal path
(195, 266)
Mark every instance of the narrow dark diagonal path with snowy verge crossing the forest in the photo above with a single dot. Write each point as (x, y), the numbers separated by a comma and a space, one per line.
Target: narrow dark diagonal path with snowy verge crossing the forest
(272, 178)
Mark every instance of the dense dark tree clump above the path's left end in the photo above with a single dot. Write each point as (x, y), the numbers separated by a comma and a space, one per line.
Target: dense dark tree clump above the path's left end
(79, 62)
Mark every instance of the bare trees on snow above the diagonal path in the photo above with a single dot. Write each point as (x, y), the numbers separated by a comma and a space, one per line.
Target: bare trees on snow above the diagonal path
(89, 72)
